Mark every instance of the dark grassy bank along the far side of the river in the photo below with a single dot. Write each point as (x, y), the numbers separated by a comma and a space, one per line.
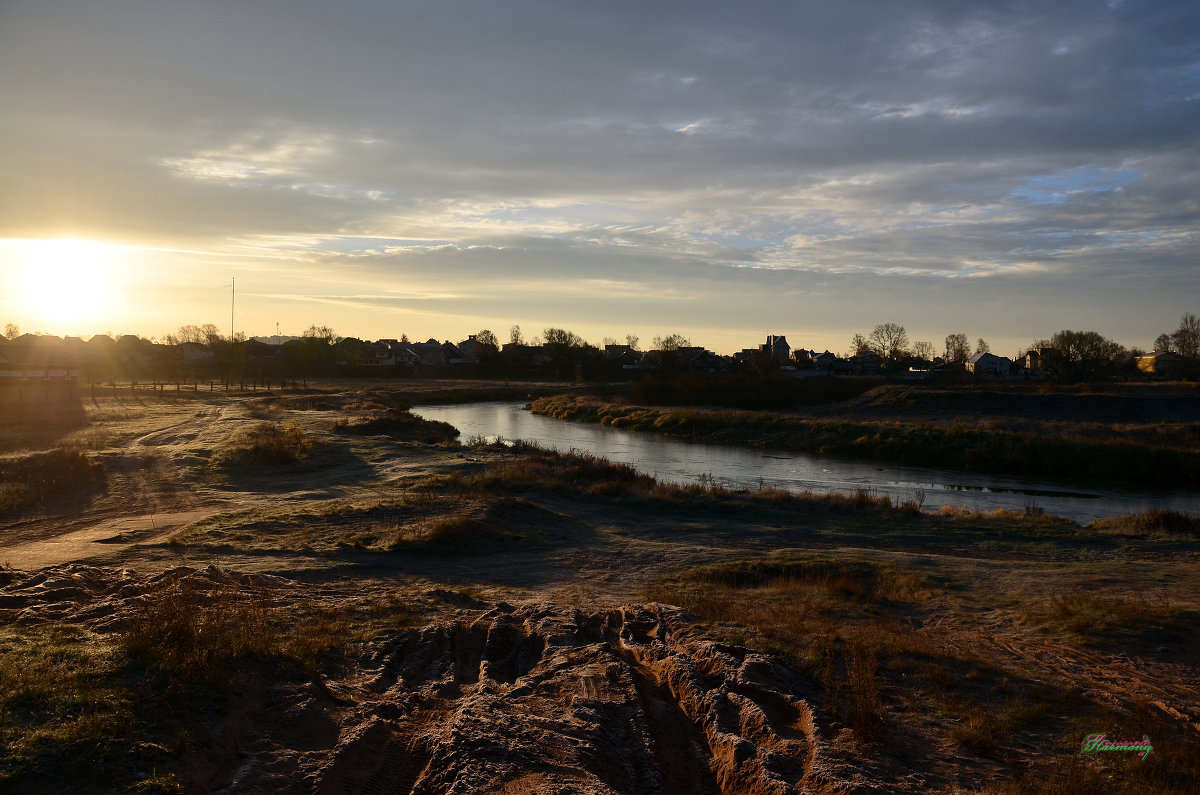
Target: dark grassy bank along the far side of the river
(973, 449)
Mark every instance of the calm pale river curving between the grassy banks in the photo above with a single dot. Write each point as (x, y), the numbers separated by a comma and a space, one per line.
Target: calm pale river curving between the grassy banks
(686, 463)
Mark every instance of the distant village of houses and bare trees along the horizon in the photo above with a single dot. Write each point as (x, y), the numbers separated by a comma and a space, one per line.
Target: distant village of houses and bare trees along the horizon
(202, 355)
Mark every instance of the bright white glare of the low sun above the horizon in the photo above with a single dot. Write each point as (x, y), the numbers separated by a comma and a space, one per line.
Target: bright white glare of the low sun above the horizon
(67, 284)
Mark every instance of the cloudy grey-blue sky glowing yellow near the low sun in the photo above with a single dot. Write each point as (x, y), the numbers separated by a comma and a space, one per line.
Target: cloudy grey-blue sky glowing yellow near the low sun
(723, 171)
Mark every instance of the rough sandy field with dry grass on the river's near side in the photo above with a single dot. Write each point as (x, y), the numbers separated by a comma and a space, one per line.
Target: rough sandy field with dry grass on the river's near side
(316, 591)
